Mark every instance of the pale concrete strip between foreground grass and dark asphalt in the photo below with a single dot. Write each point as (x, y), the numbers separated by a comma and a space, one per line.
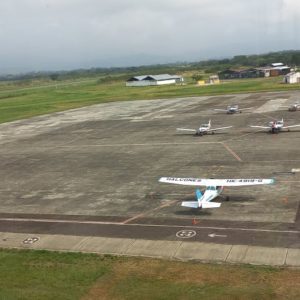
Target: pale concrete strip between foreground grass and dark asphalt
(178, 250)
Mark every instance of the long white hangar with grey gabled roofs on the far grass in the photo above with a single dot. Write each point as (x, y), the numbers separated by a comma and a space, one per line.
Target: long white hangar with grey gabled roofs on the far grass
(146, 80)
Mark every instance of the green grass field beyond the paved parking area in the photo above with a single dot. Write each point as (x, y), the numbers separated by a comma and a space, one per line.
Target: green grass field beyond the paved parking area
(35, 98)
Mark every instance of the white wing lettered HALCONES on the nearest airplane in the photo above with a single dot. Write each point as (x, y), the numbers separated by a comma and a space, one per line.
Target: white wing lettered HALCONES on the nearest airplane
(215, 182)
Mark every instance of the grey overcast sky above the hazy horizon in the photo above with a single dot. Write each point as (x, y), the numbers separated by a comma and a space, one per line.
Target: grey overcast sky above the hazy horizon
(68, 34)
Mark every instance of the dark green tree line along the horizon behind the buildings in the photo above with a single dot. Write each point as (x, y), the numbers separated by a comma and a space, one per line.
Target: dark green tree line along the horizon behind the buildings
(289, 57)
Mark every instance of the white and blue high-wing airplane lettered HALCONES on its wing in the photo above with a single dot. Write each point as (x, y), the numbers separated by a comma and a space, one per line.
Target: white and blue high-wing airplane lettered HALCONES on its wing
(214, 188)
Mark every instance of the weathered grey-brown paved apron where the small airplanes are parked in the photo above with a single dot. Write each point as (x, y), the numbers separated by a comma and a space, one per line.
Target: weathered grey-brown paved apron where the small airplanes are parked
(94, 172)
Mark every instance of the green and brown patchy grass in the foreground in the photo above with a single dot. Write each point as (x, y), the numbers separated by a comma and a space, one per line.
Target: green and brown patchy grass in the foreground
(53, 275)
